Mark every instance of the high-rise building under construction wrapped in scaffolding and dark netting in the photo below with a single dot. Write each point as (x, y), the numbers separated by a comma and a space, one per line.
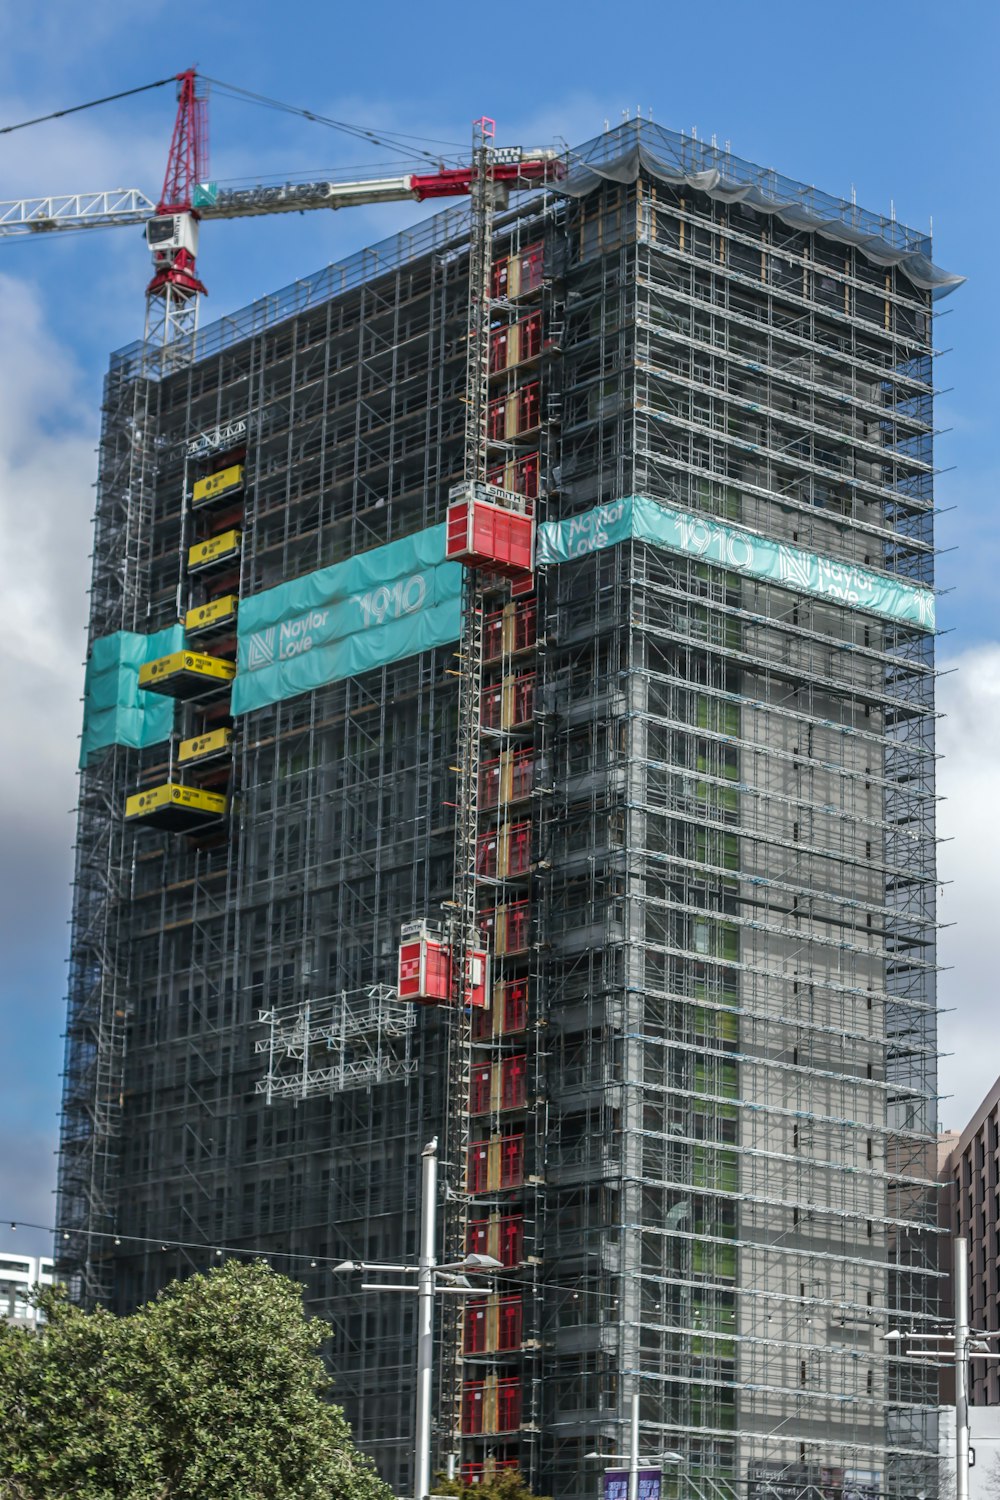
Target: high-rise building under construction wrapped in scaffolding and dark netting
(693, 1108)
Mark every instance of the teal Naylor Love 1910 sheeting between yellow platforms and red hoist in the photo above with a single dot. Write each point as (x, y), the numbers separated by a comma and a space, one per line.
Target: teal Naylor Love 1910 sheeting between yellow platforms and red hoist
(376, 608)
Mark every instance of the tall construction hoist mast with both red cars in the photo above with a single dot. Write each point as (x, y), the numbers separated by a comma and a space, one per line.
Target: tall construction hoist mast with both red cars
(491, 529)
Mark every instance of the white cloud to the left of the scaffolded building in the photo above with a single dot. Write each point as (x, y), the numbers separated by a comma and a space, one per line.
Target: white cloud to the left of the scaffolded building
(47, 467)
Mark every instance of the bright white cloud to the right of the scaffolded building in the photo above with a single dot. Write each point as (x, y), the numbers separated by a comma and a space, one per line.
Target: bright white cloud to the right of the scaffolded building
(969, 821)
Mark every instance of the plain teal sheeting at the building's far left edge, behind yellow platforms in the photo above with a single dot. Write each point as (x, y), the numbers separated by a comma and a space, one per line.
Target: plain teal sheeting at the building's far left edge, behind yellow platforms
(116, 710)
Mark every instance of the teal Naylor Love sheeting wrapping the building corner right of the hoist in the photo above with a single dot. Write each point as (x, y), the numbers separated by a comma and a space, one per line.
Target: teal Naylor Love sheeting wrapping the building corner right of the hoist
(737, 550)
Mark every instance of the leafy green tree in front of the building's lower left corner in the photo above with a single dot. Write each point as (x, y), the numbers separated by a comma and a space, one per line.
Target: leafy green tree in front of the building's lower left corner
(215, 1391)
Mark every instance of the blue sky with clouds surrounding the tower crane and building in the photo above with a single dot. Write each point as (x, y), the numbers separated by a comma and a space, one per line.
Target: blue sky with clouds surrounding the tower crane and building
(897, 101)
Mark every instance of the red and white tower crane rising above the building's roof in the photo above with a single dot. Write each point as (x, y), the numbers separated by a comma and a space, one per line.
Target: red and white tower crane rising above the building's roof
(187, 199)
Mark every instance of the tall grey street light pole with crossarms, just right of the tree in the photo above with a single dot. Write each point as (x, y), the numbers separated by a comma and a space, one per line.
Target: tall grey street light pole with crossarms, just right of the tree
(427, 1271)
